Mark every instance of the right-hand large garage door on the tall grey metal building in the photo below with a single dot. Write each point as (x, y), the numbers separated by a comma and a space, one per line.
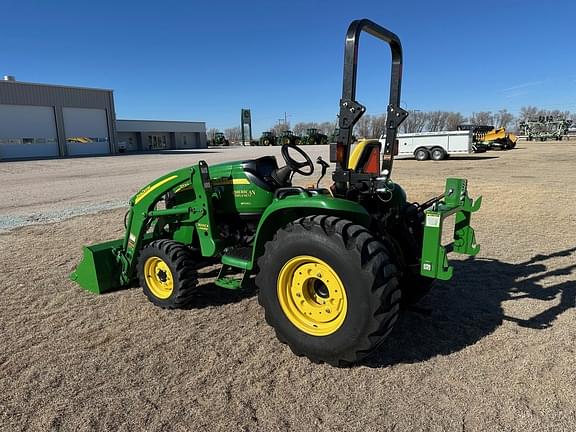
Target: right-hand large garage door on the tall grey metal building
(86, 131)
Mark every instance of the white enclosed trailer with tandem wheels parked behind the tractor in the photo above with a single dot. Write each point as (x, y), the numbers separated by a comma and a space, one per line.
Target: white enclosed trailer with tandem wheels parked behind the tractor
(434, 145)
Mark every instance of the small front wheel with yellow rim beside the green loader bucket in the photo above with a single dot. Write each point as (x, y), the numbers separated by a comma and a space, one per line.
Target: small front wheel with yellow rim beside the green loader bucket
(167, 273)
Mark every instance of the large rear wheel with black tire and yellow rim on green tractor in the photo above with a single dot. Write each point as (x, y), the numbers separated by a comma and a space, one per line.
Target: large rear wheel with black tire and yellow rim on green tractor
(328, 289)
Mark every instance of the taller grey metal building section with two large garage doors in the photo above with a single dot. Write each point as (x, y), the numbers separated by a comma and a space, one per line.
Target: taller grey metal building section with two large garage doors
(38, 120)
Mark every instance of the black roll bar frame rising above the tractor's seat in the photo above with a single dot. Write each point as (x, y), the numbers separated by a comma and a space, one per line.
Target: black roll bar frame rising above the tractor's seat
(351, 110)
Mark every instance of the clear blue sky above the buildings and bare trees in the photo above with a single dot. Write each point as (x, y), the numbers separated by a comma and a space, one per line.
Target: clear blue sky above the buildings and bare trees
(204, 61)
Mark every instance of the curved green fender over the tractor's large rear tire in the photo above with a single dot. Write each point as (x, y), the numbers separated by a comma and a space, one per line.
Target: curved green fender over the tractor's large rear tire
(285, 210)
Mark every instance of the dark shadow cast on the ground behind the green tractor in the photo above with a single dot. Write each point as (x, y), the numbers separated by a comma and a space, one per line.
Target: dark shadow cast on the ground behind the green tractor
(469, 308)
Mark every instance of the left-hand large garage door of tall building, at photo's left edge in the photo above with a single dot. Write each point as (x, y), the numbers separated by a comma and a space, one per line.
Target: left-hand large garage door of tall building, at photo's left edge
(27, 132)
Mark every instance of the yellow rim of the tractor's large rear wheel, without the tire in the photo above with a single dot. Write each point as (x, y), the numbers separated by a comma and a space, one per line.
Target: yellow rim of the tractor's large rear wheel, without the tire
(312, 296)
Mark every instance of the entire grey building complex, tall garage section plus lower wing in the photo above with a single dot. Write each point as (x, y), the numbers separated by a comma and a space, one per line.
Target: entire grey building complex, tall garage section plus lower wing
(40, 121)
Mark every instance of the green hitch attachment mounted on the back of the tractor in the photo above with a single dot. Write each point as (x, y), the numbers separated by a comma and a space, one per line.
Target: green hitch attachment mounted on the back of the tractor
(434, 260)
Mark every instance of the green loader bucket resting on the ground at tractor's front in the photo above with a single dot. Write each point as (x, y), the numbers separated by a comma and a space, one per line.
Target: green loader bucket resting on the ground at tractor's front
(99, 271)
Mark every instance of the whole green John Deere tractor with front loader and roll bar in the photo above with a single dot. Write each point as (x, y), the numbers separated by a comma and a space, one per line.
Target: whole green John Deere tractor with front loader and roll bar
(332, 265)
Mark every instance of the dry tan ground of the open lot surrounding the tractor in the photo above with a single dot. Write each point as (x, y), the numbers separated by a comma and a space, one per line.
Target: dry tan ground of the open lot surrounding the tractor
(497, 350)
